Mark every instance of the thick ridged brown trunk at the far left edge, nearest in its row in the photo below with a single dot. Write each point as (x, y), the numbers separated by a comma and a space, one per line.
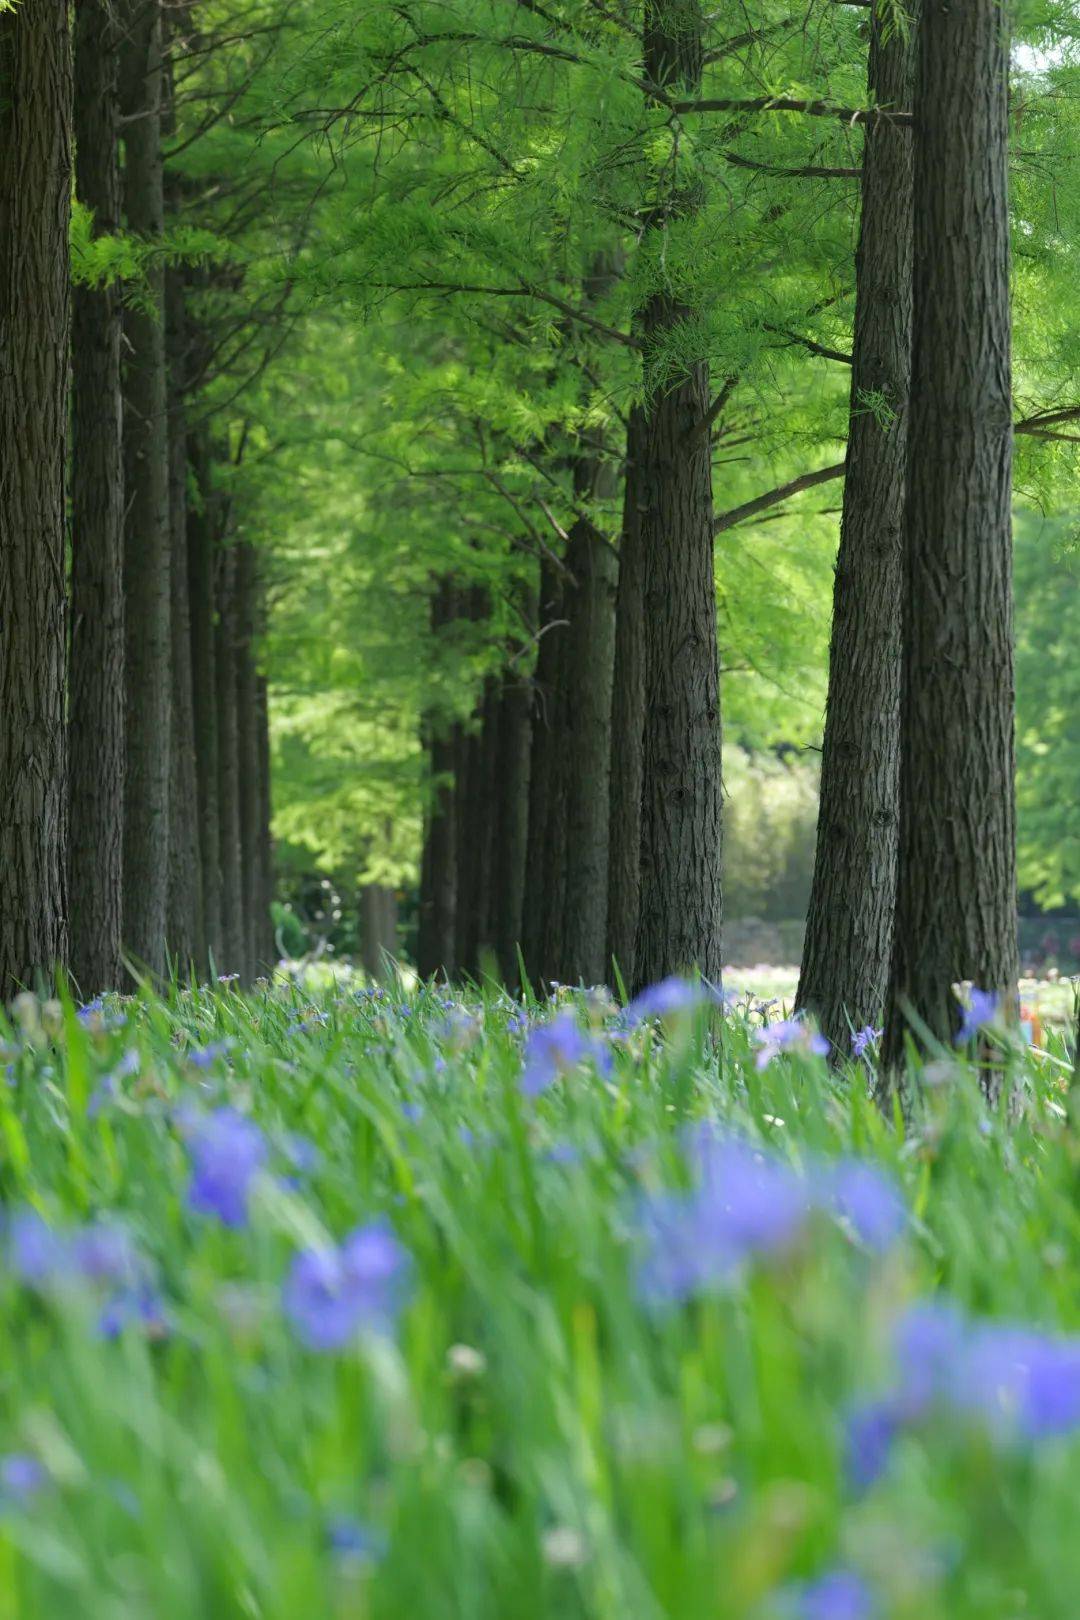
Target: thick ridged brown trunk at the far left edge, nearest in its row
(35, 330)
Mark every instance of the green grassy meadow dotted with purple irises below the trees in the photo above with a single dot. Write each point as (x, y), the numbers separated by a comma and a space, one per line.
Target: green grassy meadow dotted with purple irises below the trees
(331, 1302)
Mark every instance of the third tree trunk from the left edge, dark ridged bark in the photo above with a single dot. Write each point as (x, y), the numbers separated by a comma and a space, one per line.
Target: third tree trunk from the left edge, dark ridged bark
(147, 529)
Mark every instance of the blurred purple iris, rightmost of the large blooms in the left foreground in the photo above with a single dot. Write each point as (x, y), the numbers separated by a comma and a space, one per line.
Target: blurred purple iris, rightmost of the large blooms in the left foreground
(333, 1294)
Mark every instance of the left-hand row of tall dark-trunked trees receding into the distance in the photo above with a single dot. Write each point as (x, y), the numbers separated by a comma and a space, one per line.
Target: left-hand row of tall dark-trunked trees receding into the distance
(134, 754)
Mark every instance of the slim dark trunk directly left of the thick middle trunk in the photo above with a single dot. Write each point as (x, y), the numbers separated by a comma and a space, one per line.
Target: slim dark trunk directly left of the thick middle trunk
(624, 855)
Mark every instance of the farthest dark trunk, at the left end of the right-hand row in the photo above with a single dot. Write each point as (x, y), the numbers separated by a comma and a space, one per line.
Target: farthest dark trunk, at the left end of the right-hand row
(440, 887)
